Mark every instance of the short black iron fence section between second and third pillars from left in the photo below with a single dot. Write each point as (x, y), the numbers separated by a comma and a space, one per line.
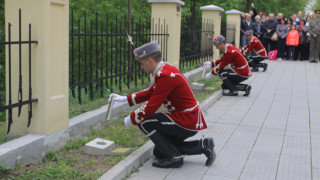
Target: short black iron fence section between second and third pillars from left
(196, 46)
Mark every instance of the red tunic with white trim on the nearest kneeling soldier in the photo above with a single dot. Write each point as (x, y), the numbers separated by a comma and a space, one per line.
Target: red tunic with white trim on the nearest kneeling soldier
(171, 88)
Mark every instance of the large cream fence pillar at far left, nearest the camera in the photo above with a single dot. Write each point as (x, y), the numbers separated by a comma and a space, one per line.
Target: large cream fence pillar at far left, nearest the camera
(50, 61)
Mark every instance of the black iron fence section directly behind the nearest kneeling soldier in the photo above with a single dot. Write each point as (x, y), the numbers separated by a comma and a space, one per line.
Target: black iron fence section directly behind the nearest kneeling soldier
(100, 55)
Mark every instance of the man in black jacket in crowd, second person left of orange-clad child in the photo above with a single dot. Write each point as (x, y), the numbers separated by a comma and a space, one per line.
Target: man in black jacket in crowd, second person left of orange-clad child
(269, 28)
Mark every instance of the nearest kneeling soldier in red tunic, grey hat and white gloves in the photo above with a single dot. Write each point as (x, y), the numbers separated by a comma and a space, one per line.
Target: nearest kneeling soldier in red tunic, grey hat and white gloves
(184, 119)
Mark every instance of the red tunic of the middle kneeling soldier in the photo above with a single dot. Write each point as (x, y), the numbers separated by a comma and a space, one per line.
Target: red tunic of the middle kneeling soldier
(237, 62)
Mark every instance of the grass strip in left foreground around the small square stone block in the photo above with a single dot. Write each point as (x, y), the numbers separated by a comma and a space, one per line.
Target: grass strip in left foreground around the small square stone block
(72, 163)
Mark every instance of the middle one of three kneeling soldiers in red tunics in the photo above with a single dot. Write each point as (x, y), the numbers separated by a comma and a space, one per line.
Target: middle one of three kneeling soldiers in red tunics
(231, 77)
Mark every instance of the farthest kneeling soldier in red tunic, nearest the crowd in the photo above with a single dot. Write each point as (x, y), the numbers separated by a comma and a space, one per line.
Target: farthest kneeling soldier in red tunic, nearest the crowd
(258, 52)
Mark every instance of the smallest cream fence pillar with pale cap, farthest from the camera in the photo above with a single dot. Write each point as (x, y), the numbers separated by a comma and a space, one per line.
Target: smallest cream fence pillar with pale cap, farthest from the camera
(233, 17)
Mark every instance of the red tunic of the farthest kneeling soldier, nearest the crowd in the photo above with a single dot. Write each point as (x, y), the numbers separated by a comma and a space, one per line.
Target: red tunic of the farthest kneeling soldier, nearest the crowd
(256, 46)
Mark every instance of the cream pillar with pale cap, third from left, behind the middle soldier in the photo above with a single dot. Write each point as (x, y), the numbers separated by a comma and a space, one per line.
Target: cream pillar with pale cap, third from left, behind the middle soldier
(212, 12)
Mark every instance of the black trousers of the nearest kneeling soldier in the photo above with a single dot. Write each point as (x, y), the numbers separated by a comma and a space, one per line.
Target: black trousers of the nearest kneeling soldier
(172, 133)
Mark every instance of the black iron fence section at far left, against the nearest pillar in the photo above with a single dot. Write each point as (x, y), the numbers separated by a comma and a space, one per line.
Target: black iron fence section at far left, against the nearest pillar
(21, 102)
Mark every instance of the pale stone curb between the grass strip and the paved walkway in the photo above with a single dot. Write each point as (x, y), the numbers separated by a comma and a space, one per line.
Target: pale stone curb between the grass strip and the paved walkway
(141, 155)
